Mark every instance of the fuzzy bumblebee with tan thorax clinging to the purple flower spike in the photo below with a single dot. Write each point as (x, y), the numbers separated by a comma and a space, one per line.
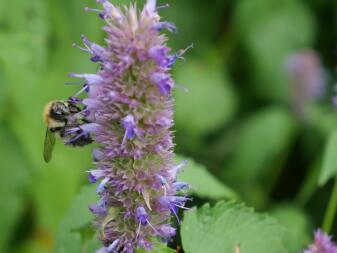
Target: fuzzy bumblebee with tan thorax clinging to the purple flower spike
(62, 118)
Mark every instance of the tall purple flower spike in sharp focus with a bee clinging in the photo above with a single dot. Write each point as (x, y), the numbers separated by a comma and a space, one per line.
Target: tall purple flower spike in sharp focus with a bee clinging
(128, 112)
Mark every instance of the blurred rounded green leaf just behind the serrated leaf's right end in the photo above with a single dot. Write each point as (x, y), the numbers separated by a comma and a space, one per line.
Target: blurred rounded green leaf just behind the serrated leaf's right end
(297, 224)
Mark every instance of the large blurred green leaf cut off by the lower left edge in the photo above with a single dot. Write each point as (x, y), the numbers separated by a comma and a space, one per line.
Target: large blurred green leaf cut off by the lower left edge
(13, 185)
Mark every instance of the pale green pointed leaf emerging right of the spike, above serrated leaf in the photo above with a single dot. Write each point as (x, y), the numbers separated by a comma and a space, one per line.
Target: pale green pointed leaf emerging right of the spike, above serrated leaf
(203, 184)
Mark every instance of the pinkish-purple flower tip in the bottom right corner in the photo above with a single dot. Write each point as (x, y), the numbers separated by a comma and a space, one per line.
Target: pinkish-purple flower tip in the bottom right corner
(322, 244)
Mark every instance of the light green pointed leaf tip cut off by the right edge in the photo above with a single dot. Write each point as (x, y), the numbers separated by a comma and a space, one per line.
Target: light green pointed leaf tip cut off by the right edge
(329, 167)
